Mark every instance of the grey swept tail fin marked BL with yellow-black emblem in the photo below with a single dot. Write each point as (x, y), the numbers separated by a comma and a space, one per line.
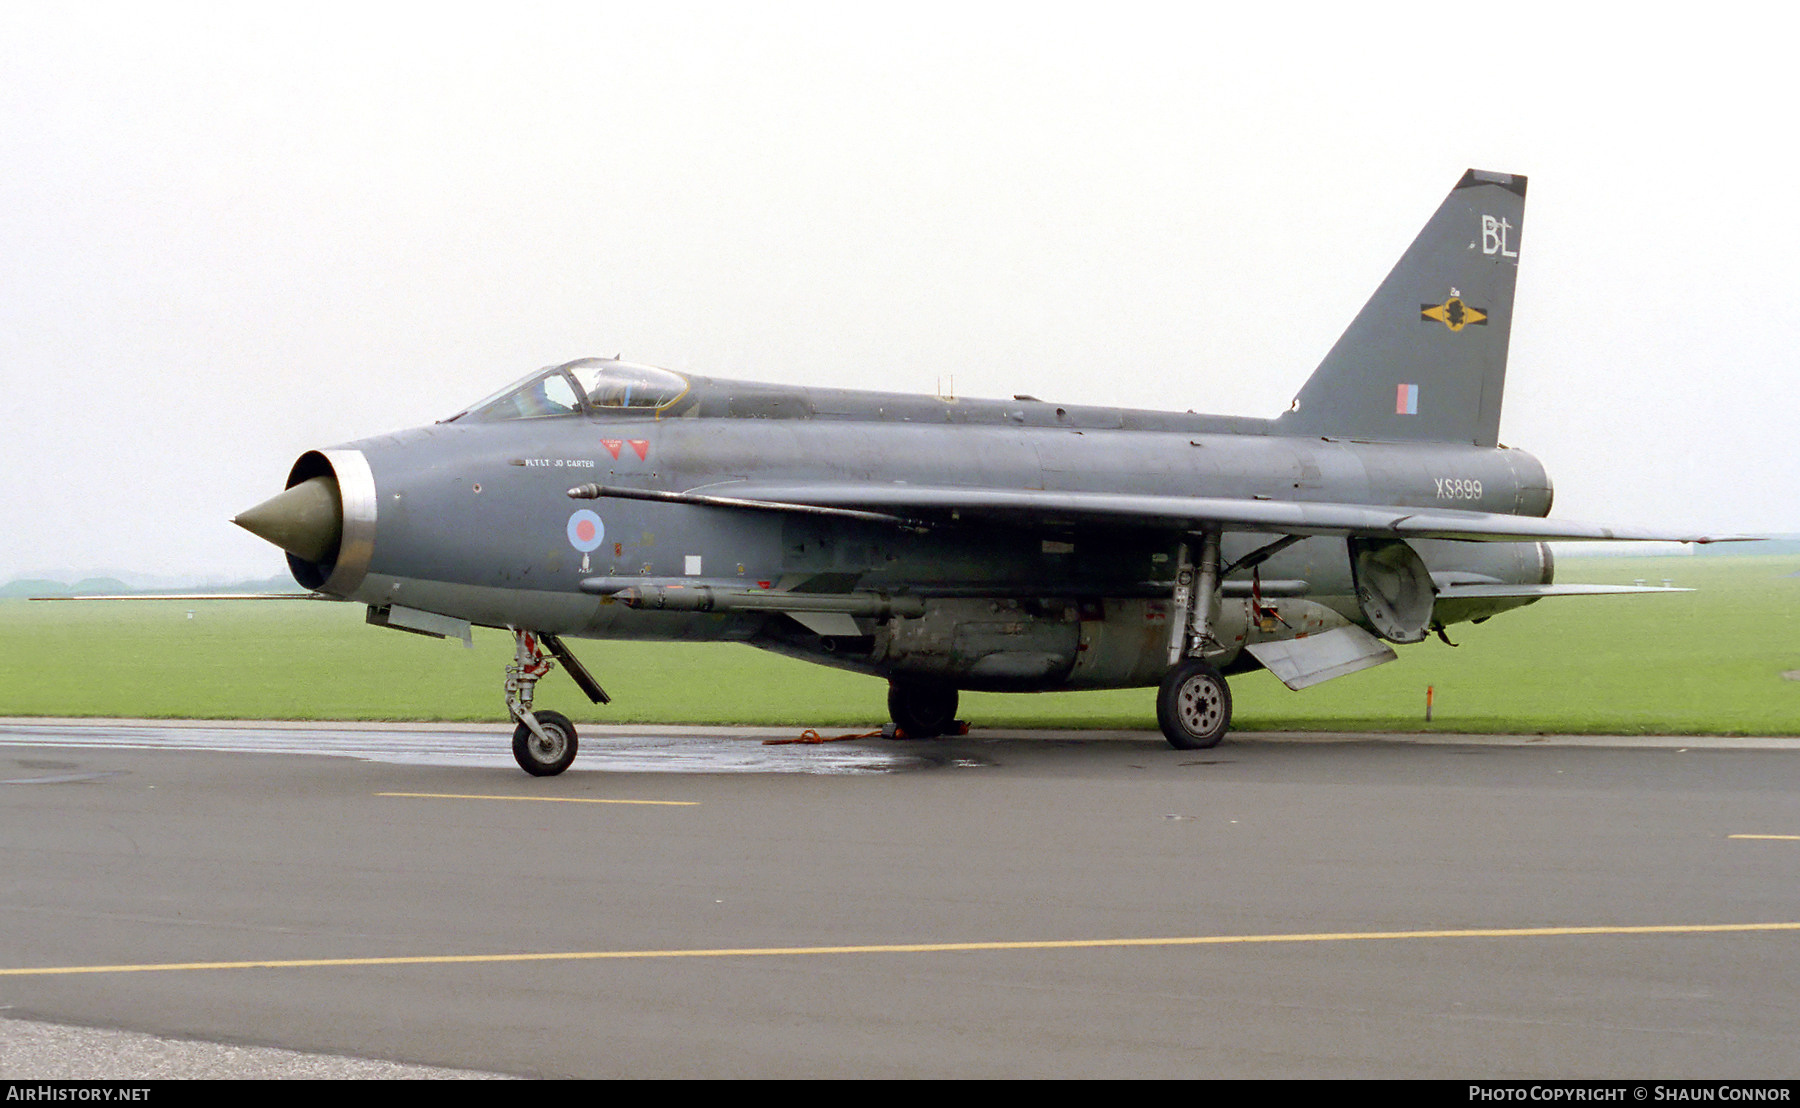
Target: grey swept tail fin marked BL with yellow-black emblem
(1426, 359)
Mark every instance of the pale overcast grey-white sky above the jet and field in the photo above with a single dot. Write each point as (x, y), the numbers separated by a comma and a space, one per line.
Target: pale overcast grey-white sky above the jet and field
(233, 233)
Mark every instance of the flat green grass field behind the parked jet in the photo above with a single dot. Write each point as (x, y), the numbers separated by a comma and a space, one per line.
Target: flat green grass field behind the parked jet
(1704, 663)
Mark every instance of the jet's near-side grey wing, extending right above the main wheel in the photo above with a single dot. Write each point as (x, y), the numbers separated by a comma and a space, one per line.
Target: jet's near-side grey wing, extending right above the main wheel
(1041, 508)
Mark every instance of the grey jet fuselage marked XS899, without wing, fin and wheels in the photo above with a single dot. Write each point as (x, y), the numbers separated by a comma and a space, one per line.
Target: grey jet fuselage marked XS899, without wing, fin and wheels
(472, 521)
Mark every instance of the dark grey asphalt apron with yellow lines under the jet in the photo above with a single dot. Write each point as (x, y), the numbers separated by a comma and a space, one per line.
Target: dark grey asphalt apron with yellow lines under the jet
(688, 902)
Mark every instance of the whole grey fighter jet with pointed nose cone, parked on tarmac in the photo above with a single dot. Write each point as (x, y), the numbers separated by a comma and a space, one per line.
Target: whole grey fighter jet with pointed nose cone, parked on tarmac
(953, 544)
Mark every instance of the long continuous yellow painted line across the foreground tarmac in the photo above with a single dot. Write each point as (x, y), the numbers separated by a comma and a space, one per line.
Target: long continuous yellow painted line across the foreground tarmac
(750, 952)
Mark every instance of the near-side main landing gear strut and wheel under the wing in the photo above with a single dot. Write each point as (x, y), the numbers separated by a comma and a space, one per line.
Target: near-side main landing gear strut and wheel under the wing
(1194, 702)
